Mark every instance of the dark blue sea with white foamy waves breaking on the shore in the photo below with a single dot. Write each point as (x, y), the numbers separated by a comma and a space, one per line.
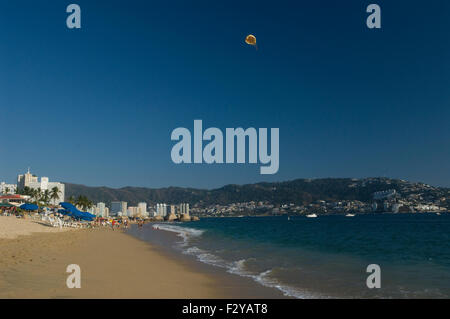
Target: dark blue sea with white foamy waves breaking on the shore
(327, 257)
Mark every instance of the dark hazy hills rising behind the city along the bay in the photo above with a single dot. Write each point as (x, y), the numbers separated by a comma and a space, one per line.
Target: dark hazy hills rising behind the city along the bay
(299, 191)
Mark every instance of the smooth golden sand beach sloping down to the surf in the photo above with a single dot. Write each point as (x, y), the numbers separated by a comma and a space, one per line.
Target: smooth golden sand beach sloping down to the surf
(113, 265)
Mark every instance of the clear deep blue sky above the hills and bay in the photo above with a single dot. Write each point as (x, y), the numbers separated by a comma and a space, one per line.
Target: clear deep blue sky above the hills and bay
(97, 106)
